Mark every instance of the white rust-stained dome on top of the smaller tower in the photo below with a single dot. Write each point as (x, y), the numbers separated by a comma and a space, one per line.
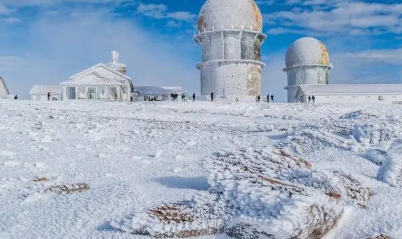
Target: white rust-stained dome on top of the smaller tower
(307, 51)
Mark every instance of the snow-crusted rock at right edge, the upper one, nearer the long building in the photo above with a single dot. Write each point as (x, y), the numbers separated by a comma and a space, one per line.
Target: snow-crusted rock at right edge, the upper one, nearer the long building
(375, 134)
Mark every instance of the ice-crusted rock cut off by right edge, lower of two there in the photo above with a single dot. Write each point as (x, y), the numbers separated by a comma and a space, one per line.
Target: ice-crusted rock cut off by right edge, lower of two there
(391, 170)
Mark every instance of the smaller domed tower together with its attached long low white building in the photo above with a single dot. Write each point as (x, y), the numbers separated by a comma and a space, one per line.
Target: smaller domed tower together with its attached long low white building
(307, 67)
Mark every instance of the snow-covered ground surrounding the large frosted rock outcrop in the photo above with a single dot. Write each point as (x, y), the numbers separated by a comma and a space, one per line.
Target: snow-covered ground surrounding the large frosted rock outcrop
(69, 169)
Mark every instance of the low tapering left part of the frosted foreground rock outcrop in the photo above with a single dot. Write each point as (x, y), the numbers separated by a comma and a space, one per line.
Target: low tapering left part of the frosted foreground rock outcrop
(201, 216)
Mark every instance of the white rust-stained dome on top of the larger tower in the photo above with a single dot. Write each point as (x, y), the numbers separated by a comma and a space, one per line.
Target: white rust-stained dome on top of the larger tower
(239, 14)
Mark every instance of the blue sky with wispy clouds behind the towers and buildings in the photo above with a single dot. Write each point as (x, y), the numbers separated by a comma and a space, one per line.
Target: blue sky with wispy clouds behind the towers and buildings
(46, 41)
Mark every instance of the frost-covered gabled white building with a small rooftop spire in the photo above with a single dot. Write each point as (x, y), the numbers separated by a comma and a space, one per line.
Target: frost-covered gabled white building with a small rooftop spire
(100, 82)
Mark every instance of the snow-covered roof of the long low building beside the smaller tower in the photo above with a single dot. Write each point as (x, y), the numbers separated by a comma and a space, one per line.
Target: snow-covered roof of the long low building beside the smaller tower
(355, 89)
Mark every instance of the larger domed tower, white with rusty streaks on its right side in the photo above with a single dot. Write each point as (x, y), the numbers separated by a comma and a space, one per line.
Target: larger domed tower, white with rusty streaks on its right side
(230, 38)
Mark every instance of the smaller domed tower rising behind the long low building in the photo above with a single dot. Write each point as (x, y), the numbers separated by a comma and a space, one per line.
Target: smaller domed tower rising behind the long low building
(307, 62)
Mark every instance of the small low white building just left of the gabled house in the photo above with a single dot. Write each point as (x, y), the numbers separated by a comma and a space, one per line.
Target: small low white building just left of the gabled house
(40, 92)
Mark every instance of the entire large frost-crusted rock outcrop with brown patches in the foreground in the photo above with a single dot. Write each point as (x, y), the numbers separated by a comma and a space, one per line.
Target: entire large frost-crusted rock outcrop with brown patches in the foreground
(255, 193)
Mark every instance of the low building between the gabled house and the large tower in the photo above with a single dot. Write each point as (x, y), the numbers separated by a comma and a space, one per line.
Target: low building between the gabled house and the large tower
(158, 92)
